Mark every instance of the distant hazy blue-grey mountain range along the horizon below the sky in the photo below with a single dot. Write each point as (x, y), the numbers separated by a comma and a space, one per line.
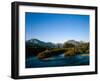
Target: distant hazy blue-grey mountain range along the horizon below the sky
(36, 42)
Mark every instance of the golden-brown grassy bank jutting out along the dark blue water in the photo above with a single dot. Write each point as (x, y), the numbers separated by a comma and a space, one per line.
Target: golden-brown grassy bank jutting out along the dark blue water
(57, 51)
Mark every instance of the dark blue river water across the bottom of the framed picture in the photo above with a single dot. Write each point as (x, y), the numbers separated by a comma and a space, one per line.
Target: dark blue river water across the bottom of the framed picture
(60, 60)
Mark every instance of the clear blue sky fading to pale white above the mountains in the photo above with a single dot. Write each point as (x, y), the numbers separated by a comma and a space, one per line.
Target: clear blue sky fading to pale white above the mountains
(56, 28)
